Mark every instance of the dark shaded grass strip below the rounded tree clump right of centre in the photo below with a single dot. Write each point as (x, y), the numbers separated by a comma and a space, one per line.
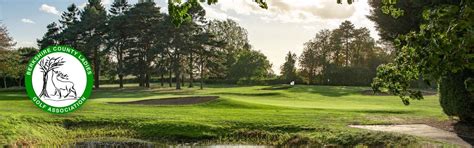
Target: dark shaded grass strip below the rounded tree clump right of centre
(330, 91)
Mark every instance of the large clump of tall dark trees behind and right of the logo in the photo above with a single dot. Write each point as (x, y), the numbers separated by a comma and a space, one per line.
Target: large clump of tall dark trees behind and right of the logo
(141, 41)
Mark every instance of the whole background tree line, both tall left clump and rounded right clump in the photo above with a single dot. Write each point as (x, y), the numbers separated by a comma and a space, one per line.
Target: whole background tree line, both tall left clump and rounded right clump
(140, 43)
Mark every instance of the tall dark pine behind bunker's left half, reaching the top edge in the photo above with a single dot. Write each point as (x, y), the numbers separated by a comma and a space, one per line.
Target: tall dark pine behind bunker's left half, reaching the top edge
(145, 21)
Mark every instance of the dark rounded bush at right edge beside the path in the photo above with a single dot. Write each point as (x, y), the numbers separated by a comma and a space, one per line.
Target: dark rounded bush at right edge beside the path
(455, 99)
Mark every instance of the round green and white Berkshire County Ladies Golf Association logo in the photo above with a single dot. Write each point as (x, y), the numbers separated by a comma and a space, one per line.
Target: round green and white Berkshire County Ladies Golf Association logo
(59, 79)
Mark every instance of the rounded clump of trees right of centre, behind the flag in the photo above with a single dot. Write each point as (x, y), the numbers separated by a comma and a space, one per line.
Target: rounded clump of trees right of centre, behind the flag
(344, 56)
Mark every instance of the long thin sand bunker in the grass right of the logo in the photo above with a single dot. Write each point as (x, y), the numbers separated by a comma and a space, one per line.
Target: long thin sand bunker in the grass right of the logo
(172, 101)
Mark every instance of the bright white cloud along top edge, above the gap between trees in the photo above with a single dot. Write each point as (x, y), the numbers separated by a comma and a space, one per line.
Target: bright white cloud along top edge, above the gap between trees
(290, 11)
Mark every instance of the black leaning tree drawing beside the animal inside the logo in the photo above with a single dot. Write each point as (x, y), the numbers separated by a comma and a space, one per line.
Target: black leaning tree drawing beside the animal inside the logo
(48, 65)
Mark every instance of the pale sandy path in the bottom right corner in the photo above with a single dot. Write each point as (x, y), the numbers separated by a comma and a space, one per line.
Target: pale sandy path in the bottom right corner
(421, 130)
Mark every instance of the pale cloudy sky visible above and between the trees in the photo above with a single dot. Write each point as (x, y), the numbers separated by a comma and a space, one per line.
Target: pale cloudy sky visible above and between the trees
(285, 26)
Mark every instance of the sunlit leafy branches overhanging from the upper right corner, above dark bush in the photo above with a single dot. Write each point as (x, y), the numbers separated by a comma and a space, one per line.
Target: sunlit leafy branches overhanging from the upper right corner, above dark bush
(429, 52)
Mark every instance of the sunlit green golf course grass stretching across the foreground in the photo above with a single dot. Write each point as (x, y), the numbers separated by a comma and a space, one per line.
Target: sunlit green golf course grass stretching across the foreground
(299, 115)
